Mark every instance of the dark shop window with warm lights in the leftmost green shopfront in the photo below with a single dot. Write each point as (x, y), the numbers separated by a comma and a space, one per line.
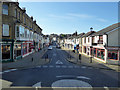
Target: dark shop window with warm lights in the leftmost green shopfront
(5, 51)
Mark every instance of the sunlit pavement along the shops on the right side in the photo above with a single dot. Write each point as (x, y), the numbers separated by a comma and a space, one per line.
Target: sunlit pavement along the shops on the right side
(85, 60)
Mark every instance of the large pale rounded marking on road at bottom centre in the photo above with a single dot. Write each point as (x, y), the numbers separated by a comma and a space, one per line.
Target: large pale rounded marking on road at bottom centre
(70, 83)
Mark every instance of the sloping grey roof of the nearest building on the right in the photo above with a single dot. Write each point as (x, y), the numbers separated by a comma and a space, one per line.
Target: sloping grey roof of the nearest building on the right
(107, 29)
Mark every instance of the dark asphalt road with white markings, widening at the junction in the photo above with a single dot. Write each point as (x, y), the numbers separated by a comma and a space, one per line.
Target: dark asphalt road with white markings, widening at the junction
(61, 73)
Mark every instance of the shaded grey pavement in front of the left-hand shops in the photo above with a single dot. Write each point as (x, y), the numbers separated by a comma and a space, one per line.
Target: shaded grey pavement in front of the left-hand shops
(27, 62)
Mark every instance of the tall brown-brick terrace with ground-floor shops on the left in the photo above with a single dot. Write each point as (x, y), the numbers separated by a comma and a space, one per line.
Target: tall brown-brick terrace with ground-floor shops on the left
(20, 34)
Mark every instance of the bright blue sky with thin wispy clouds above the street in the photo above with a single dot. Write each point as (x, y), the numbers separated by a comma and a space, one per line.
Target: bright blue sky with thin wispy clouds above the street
(68, 17)
